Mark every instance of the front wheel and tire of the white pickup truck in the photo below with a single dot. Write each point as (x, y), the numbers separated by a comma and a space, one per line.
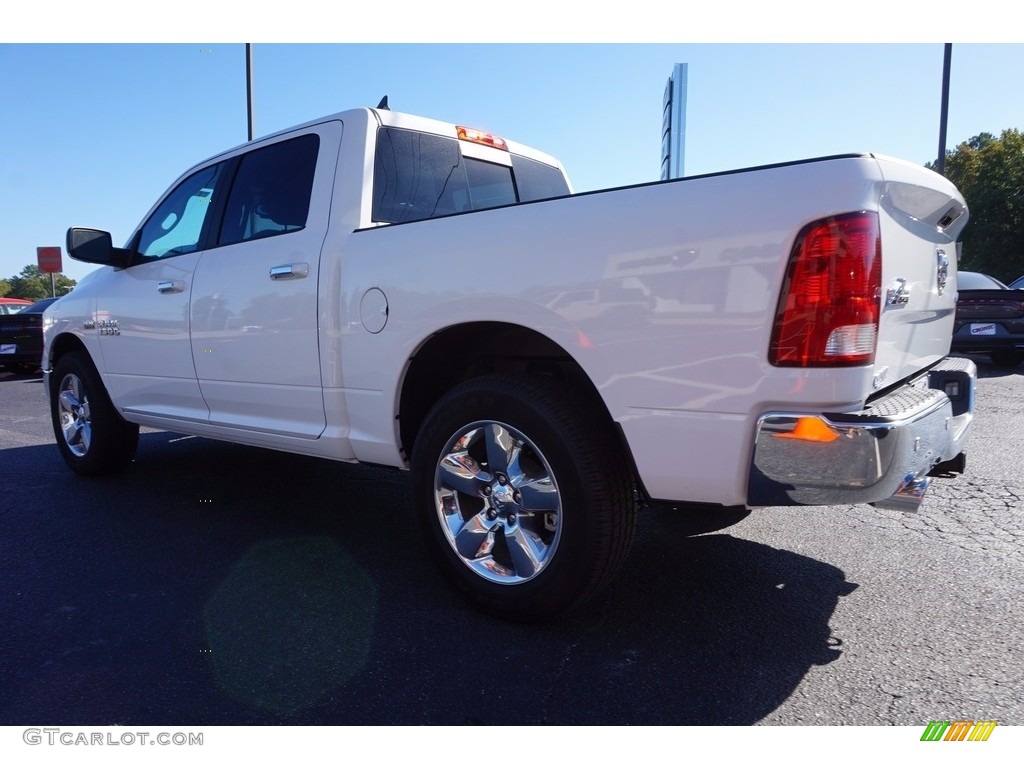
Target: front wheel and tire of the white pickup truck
(92, 436)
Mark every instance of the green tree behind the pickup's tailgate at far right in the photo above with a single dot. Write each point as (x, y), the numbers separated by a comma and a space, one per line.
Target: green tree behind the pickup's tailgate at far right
(990, 173)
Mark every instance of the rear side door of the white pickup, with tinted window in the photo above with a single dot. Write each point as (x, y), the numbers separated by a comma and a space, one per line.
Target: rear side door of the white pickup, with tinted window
(254, 304)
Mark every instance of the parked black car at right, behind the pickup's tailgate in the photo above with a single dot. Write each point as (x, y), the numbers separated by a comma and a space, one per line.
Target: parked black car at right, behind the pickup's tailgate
(990, 319)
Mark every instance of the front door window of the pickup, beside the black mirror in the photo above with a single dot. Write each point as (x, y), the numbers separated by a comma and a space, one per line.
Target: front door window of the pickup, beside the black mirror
(177, 226)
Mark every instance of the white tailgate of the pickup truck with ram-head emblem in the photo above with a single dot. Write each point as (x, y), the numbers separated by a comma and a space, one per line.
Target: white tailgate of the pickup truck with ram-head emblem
(921, 216)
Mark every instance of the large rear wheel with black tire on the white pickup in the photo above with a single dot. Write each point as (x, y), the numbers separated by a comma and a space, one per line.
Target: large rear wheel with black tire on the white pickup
(524, 496)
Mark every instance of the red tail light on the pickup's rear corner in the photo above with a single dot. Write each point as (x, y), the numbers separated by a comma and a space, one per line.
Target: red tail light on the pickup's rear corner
(829, 311)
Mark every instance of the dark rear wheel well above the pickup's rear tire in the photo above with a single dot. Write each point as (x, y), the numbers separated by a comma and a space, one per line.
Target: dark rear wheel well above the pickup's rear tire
(464, 353)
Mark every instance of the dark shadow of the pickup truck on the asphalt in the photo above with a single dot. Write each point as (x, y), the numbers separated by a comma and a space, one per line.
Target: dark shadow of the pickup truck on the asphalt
(216, 585)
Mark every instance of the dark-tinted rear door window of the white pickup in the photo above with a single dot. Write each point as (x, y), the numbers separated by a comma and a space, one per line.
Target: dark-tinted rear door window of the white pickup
(272, 191)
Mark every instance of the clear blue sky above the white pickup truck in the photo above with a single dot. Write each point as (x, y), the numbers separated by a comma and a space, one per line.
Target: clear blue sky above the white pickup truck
(94, 134)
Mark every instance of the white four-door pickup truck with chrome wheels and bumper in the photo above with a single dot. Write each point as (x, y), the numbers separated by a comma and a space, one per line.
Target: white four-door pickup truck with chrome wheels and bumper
(377, 287)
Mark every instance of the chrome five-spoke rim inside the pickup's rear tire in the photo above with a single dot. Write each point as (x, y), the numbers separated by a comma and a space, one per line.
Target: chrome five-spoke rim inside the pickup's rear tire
(498, 502)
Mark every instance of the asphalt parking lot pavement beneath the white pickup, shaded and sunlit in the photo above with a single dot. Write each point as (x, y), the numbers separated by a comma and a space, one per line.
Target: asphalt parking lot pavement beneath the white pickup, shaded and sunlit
(216, 584)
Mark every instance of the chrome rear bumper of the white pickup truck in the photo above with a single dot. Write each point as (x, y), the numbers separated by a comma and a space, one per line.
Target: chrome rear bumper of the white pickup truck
(882, 455)
